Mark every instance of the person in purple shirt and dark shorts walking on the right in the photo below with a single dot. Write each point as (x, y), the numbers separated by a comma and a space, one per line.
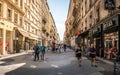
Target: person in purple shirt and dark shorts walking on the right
(92, 51)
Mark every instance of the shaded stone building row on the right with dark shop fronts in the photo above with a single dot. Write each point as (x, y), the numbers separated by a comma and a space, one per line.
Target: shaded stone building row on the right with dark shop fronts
(96, 24)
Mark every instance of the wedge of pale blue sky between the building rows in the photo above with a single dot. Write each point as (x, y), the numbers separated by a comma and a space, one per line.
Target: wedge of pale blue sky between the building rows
(59, 10)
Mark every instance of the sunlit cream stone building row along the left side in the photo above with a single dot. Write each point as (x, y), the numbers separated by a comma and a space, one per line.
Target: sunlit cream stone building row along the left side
(22, 24)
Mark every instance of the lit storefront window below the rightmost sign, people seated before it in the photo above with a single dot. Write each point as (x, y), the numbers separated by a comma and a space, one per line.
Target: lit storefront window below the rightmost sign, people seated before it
(111, 45)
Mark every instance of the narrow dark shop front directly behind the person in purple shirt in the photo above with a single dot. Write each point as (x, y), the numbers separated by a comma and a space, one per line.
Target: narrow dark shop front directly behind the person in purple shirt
(97, 35)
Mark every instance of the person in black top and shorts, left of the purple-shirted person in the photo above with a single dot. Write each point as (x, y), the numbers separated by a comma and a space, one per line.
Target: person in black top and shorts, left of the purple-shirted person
(78, 54)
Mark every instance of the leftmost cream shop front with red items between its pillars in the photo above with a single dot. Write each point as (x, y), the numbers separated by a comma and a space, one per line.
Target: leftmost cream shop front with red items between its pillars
(6, 37)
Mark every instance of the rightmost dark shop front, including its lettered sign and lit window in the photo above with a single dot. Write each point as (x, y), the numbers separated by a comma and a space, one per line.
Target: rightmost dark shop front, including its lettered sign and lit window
(111, 37)
